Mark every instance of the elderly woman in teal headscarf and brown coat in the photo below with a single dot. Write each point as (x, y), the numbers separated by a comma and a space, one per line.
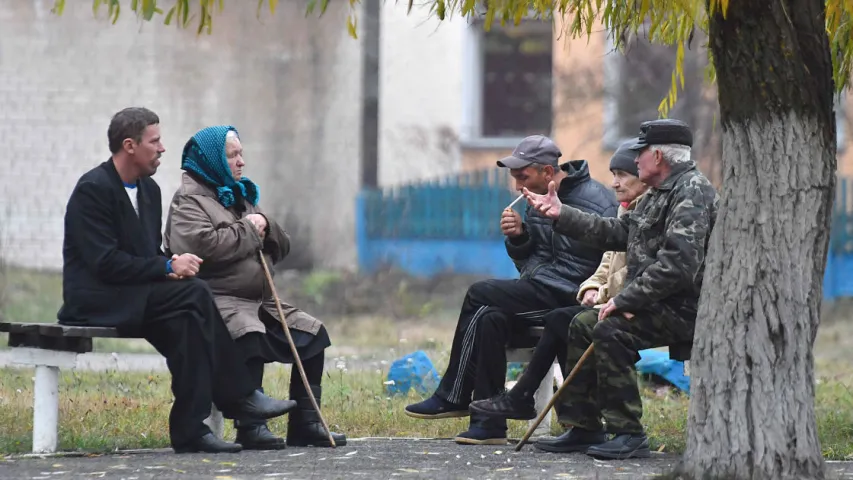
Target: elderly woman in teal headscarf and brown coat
(215, 214)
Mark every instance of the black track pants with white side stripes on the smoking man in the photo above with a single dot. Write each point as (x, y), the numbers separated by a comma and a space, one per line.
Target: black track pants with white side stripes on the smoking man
(492, 312)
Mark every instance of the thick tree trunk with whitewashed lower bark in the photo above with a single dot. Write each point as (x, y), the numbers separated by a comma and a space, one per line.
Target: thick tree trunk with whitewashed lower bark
(752, 395)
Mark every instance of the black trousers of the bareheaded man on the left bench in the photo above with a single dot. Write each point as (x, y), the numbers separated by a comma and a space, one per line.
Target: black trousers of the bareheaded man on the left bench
(182, 322)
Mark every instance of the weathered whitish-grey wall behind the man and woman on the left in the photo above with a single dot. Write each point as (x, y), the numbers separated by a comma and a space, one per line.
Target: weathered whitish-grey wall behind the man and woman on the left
(291, 85)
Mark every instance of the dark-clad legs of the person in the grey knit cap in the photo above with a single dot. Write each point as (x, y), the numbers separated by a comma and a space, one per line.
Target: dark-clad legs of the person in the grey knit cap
(553, 344)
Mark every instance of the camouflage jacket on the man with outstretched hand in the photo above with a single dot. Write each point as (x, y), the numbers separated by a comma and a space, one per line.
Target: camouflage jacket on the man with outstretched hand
(666, 239)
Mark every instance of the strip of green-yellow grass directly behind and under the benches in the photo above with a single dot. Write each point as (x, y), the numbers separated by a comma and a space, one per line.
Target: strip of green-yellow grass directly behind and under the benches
(105, 411)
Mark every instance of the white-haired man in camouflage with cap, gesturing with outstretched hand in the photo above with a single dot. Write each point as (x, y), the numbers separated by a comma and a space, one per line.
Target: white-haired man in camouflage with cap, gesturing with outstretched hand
(666, 240)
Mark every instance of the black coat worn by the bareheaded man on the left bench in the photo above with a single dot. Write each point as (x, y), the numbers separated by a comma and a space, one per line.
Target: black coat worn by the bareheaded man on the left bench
(110, 255)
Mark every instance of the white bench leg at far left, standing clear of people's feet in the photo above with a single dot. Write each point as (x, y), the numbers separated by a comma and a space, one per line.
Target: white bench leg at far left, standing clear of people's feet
(45, 409)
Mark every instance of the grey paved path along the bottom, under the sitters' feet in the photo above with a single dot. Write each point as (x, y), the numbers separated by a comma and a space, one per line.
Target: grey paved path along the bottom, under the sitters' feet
(362, 458)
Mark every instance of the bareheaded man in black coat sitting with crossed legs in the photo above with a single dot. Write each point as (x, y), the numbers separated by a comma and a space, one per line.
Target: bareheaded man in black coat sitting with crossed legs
(115, 274)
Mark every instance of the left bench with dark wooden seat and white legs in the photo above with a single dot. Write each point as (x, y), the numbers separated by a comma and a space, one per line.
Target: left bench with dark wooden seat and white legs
(48, 348)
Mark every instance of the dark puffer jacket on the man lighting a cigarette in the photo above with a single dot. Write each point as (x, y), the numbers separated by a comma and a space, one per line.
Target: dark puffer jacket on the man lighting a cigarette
(555, 260)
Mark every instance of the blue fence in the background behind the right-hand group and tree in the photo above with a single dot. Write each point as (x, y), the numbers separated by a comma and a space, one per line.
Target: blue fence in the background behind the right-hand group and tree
(451, 224)
